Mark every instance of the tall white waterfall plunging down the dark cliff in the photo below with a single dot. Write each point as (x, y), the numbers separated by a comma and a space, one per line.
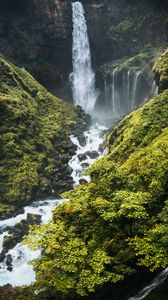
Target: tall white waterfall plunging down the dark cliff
(82, 77)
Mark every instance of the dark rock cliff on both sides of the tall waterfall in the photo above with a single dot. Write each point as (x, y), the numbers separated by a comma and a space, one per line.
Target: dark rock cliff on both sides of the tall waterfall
(37, 34)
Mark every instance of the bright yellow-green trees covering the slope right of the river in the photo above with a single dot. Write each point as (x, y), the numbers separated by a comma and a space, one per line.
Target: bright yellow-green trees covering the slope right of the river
(119, 220)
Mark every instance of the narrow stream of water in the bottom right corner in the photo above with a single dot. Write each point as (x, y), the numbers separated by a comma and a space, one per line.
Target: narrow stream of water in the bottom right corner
(155, 283)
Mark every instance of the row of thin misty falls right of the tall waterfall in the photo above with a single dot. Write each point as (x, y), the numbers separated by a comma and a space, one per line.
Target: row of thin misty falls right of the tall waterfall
(124, 90)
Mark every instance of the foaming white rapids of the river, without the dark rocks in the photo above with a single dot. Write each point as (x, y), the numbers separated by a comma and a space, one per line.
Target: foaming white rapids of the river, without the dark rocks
(22, 272)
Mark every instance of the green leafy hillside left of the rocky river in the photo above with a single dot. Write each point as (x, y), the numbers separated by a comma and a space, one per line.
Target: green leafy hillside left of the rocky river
(34, 130)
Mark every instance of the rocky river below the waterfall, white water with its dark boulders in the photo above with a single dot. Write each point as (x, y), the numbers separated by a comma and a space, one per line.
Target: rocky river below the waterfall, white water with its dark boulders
(14, 257)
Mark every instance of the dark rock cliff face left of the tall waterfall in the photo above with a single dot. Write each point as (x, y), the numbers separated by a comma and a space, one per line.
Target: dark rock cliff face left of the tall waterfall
(37, 35)
